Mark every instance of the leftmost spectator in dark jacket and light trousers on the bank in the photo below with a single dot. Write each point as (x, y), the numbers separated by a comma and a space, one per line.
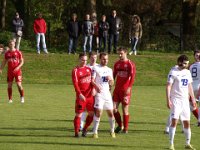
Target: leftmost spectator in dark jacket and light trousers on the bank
(18, 25)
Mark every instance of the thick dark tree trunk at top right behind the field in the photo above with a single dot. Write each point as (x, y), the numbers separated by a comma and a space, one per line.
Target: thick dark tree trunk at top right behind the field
(189, 24)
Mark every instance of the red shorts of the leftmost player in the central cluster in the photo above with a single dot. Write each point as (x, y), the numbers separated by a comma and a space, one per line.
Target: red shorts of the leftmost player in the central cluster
(81, 105)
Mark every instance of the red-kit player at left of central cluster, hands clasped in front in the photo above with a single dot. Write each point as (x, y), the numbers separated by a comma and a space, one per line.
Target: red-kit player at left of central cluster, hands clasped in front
(81, 77)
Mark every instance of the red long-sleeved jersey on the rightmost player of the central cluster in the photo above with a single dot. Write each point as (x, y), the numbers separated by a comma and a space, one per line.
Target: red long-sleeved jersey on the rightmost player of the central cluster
(124, 72)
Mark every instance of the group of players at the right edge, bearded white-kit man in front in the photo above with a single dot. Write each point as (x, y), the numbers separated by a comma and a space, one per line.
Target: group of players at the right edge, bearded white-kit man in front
(182, 92)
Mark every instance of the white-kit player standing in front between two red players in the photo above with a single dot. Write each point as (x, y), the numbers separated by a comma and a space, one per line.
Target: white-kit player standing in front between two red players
(102, 79)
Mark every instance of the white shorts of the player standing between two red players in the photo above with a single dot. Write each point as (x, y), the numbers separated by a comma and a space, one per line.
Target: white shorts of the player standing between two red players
(103, 102)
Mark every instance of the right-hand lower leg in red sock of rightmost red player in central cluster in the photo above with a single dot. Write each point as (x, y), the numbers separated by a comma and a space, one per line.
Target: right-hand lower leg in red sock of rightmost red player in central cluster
(126, 116)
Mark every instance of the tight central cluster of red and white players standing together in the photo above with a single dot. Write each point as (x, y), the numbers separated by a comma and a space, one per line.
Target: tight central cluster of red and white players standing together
(93, 84)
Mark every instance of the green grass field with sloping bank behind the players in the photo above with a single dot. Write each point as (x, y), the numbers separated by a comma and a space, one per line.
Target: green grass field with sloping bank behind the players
(45, 120)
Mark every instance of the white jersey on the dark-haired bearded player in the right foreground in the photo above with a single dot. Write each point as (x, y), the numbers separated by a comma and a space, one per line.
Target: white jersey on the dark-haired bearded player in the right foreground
(179, 80)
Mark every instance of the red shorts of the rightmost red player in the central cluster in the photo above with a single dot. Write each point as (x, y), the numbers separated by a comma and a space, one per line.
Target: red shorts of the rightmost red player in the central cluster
(119, 95)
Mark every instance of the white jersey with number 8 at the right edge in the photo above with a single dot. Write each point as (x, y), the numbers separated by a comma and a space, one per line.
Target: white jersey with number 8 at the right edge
(195, 72)
